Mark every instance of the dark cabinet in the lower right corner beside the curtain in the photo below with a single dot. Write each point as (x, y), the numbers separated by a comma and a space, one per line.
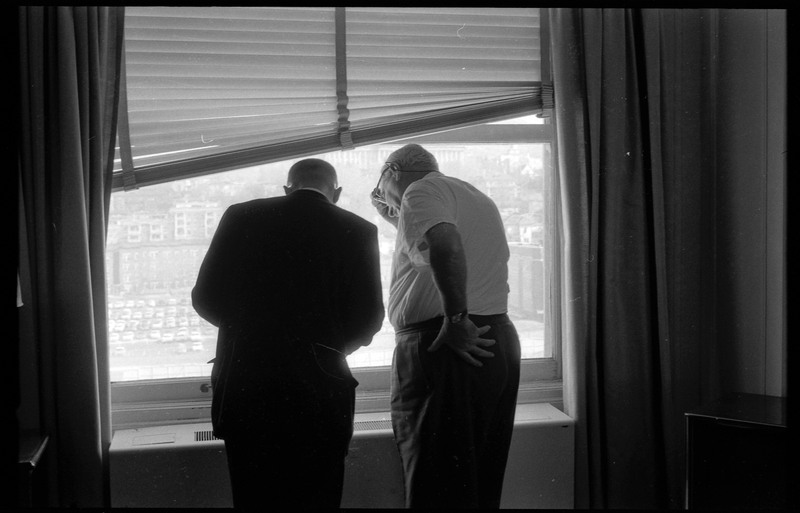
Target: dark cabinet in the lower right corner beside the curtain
(738, 454)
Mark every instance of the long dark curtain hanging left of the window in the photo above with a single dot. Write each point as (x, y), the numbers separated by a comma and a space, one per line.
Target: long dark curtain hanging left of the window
(69, 85)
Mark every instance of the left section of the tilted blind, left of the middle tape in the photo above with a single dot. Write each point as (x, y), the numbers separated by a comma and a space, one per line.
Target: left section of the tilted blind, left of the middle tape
(207, 80)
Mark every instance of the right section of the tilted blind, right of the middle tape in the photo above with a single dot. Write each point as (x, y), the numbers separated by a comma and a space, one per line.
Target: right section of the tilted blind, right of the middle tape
(451, 49)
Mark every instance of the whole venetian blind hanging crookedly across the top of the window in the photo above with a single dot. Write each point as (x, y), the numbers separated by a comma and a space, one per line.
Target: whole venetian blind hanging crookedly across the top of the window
(209, 89)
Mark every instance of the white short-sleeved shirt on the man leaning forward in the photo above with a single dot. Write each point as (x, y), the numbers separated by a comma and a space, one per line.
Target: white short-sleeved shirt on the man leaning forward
(436, 198)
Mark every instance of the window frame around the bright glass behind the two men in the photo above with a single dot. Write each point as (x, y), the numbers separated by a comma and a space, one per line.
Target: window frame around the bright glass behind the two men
(177, 400)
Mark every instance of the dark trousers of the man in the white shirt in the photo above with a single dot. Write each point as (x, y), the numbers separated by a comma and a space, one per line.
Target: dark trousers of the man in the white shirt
(452, 421)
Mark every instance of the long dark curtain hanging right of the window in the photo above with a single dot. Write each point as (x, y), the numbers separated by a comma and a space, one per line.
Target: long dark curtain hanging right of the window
(627, 167)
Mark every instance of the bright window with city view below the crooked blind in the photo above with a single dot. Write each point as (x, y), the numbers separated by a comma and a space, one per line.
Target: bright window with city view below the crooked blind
(516, 175)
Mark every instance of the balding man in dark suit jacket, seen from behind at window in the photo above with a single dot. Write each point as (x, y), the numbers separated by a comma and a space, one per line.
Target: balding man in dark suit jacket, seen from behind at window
(293, 284)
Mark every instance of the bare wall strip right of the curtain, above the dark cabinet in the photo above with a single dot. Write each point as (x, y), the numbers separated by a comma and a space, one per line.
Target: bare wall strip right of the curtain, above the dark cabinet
(751, 201)
